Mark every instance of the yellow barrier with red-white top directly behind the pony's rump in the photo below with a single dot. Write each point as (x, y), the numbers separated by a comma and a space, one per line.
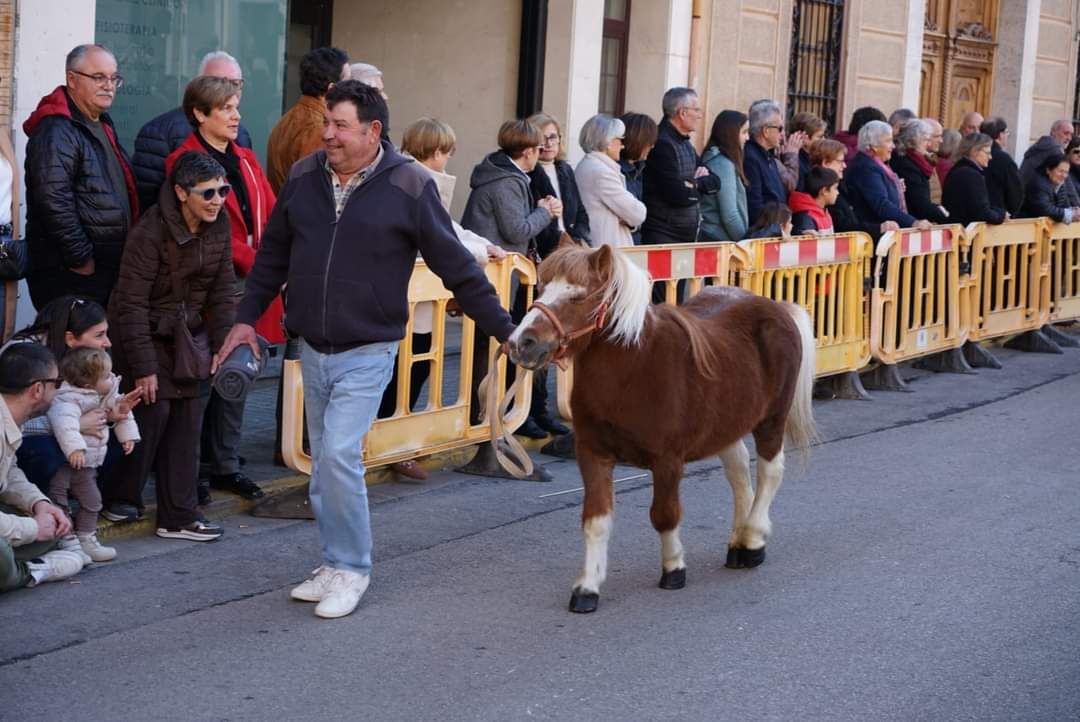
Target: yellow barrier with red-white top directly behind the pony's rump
(827, 277)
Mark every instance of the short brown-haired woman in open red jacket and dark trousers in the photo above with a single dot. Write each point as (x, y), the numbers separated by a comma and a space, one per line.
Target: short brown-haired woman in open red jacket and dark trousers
(213, 107)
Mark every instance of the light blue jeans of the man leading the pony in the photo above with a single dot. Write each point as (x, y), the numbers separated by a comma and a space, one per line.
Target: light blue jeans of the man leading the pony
(342, 396)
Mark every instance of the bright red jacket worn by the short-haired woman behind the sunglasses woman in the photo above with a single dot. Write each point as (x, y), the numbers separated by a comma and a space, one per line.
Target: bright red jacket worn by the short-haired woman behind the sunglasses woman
(262, 199)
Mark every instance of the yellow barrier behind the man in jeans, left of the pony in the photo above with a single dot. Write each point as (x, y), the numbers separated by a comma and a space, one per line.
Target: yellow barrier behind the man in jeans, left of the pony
(443, 425)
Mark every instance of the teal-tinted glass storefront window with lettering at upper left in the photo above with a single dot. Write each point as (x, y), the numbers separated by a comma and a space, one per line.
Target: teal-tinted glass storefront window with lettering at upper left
(159, 45)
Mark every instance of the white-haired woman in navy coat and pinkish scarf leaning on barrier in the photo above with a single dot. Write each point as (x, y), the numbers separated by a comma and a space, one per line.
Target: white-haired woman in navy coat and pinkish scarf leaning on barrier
(876, 193)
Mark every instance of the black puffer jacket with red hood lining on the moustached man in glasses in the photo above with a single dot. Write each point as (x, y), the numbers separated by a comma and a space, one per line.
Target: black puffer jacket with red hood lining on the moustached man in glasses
(74, 213)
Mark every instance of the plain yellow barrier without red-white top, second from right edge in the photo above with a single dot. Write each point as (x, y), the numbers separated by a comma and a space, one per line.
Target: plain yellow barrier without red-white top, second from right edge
(1010, 279)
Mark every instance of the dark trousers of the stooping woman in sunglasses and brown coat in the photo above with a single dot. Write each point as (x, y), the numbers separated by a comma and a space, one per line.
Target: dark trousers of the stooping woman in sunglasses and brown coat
(170, 447)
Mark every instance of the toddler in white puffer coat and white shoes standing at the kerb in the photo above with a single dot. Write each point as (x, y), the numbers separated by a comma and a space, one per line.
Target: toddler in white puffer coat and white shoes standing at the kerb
(89, 384)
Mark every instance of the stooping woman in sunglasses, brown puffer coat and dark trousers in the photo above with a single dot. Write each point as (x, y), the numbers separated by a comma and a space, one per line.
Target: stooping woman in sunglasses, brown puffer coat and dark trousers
(177, 264)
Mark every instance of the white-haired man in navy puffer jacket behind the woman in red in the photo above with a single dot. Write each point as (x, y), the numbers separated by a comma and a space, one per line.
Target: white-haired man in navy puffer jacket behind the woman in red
(166, 133)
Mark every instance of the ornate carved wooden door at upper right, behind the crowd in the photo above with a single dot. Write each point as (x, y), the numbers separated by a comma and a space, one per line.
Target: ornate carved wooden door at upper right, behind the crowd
(958, 59)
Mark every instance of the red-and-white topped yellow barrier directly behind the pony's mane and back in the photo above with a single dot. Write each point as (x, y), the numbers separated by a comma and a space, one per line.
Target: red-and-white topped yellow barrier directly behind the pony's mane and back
(695, 264)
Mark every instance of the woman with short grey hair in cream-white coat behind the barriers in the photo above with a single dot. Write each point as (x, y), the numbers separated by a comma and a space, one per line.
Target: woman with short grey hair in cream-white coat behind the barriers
(614, 212)
